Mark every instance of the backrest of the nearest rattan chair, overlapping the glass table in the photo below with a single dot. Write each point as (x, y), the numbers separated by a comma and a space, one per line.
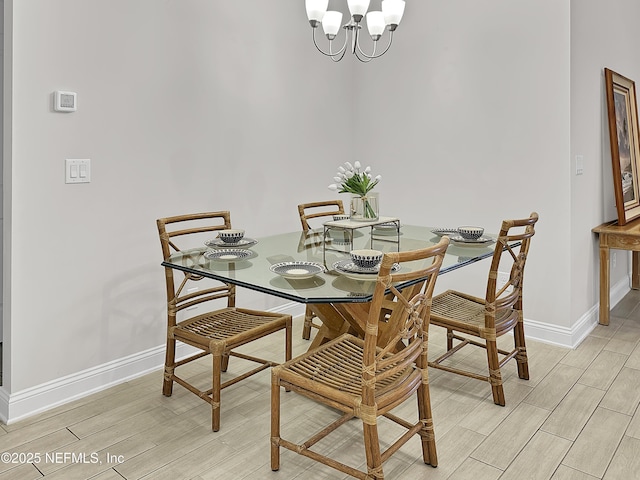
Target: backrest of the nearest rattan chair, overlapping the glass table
(406, 314)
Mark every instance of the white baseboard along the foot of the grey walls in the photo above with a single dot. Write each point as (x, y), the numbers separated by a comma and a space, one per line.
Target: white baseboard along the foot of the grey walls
(28, 402)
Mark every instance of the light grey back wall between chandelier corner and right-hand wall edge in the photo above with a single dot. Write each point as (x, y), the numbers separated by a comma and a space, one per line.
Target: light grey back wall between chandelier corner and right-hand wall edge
(471, 112)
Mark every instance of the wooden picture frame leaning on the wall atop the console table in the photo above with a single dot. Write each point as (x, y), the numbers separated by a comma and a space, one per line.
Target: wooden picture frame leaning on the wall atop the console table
(623, 137)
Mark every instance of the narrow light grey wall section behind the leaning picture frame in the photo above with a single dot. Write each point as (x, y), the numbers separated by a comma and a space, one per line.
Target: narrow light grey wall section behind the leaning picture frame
(603, 34)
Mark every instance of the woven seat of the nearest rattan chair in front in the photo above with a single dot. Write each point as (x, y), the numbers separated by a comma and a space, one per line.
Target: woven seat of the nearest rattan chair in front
(338, 365)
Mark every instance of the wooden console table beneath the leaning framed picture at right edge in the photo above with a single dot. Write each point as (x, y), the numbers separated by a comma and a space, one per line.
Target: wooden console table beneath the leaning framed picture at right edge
(626, 237)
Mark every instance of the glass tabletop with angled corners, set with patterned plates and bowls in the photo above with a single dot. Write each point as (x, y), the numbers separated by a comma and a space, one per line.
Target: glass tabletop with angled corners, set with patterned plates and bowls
(250, 267)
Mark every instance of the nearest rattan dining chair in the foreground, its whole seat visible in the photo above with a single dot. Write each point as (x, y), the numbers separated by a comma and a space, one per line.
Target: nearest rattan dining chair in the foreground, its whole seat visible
(359, 379)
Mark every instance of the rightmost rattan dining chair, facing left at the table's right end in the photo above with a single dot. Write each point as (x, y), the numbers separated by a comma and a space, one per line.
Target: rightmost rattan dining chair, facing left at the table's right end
(480, 321)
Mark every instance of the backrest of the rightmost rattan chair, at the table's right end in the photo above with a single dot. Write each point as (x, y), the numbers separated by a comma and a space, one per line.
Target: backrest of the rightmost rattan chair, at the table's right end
(509, 259)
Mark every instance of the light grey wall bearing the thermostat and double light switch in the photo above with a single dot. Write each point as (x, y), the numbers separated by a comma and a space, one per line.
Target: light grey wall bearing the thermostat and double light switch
(183, 105)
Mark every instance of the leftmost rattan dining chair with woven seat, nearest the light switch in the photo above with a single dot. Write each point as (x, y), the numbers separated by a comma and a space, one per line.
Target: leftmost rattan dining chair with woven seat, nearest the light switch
(216, 332)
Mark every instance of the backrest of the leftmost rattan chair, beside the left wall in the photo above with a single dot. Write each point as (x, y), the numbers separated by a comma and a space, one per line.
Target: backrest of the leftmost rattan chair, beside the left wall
(183, 232)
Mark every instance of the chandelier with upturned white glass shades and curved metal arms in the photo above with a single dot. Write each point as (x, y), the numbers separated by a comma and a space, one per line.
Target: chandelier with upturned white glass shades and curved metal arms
(377, 22)
